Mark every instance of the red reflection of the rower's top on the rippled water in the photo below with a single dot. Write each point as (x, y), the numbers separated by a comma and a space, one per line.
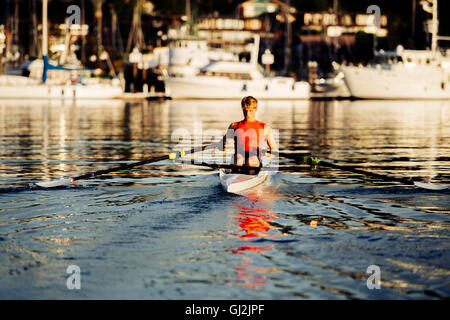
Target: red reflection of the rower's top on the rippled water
(253, 223)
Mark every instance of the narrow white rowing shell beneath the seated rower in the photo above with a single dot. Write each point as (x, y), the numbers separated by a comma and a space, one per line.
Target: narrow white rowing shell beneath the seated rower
(238, 182)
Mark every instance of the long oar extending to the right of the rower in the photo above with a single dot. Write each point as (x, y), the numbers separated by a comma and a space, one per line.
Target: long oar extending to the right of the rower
(307, 159)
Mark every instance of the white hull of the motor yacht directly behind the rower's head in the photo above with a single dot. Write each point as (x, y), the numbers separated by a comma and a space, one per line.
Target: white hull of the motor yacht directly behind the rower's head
(205, 87)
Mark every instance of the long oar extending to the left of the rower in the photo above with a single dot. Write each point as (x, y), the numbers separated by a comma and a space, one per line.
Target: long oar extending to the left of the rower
(173, 155)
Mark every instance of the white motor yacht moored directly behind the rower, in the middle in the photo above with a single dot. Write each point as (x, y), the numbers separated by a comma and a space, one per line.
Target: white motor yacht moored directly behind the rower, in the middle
(233, 80)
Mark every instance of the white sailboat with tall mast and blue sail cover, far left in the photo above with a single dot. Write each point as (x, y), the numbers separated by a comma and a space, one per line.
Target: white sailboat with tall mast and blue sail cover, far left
(22, 87)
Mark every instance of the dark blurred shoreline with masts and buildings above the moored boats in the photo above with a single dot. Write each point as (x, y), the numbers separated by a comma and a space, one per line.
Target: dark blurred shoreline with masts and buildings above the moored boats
(300, 38)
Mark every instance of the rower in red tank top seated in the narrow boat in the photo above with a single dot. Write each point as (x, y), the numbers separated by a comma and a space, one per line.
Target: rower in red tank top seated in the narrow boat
(249, 136)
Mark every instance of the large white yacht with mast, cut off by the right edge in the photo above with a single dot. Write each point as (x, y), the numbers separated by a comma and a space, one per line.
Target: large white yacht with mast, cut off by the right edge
(403, 74)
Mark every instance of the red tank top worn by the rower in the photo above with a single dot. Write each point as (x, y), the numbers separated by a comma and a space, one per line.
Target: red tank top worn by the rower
(248, 136)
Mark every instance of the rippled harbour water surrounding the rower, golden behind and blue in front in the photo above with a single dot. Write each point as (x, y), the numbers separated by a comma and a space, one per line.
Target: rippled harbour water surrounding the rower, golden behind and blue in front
(168, 231)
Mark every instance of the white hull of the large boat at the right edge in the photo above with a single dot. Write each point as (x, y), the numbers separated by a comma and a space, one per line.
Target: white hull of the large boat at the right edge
(400, 82)
